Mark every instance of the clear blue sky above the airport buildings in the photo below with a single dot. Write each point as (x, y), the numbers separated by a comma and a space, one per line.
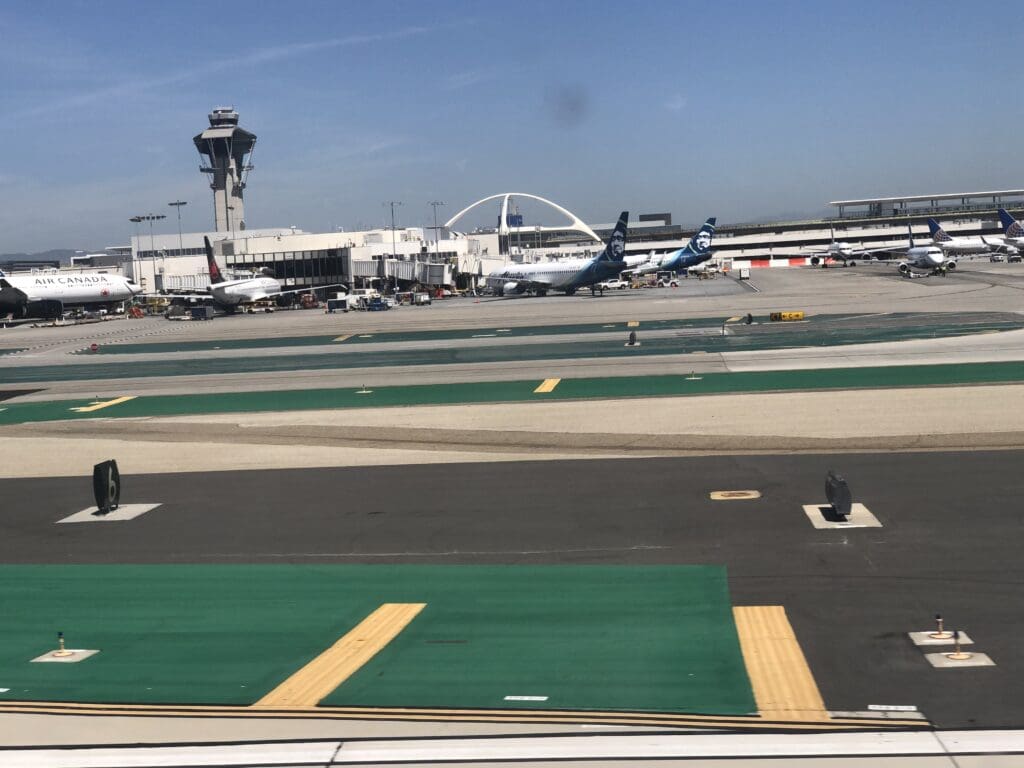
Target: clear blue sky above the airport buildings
(743, 111)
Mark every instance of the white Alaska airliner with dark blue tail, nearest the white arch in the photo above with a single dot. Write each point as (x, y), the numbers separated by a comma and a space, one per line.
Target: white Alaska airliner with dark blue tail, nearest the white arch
(568, 276)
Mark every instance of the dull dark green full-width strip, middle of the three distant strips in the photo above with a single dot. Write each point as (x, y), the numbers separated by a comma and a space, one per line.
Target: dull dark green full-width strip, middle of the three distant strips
(742, 338)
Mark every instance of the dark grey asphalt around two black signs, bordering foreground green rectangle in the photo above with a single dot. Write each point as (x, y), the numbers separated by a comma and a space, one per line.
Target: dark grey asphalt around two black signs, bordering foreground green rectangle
(950, 544)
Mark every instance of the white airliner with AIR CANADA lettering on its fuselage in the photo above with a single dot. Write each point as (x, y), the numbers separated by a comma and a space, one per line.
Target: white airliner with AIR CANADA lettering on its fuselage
(47, 295)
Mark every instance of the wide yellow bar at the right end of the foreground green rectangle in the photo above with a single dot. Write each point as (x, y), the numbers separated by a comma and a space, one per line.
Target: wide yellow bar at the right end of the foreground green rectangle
(784, 686)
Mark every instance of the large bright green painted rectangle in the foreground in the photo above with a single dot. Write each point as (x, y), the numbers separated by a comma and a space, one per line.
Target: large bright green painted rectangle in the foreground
(659, 638)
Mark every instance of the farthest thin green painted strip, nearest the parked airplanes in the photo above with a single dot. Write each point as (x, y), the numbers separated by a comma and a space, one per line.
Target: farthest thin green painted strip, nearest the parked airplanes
(388, 337)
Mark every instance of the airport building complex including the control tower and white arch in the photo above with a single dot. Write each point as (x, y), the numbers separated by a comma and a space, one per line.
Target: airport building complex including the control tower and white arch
(452, 257)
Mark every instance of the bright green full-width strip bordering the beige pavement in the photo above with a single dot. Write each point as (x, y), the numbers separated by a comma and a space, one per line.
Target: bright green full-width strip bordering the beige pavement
(519, 392)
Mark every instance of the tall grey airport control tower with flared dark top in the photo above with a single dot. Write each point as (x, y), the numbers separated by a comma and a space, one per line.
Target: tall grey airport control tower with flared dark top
(228, 150)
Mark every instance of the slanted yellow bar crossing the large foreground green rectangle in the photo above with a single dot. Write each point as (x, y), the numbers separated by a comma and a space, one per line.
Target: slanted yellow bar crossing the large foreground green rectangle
(315, 681)
